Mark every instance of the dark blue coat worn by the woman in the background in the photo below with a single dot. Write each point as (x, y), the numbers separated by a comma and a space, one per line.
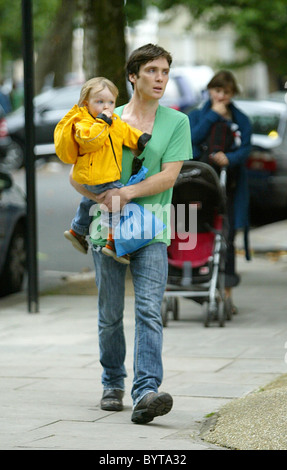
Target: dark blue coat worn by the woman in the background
(201, 121)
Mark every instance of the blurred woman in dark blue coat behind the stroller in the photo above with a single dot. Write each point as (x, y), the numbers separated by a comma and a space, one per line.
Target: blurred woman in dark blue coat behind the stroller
(221, 135)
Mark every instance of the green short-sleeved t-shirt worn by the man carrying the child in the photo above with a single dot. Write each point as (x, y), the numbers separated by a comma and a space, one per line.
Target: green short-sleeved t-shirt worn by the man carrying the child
(170, 142)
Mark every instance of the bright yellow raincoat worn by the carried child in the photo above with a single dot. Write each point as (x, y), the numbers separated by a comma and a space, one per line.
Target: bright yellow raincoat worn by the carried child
(94, 145)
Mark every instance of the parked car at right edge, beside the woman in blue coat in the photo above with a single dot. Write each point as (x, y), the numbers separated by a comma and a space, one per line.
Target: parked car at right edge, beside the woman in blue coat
(267, 163)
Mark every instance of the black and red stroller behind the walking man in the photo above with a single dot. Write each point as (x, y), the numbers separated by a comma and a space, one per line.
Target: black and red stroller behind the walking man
(196, 256)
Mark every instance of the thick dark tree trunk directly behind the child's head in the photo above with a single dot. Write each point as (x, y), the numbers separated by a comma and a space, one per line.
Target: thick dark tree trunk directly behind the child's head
(104, 43)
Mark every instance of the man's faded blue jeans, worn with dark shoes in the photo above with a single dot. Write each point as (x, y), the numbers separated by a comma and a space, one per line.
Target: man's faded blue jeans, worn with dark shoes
(149, 269)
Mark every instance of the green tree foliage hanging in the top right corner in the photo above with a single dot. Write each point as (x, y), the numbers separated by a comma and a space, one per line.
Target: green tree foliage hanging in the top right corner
(260, 27)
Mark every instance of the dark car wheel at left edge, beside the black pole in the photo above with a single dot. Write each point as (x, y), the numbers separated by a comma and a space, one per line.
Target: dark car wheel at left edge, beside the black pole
(12, 277)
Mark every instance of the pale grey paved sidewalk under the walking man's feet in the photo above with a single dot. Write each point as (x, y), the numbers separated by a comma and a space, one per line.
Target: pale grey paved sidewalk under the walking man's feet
(50, 375)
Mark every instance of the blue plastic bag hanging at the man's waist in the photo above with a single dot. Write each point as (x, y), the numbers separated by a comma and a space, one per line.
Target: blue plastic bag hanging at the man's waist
(136, 228)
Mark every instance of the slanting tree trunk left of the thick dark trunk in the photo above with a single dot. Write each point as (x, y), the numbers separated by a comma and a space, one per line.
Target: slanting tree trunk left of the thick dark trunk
(55, 55)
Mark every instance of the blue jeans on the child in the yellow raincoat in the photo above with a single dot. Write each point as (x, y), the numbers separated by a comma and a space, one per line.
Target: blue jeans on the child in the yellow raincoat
(82, 220)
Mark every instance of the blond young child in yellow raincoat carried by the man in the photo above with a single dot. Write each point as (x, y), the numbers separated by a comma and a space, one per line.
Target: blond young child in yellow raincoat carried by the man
(93, 137)
